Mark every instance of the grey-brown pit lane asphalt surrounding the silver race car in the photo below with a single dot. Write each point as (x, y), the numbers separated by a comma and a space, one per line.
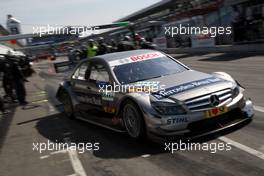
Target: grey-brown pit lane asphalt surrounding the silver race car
(42, 120)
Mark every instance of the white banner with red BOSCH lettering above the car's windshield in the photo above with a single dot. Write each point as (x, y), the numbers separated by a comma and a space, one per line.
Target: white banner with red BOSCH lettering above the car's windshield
(136, 58)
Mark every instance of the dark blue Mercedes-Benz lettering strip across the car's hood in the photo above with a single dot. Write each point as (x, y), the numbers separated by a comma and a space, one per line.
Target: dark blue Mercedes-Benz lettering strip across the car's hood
(187, 86)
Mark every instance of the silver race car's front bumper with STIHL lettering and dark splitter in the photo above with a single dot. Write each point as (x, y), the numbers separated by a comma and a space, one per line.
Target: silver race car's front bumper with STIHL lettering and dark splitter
(196, 123)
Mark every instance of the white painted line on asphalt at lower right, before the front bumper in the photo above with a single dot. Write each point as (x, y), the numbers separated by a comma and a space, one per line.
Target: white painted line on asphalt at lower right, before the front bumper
(243, 147)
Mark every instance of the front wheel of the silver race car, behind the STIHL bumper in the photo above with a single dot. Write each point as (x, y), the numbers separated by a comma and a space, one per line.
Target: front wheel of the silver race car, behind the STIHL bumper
(133, 120)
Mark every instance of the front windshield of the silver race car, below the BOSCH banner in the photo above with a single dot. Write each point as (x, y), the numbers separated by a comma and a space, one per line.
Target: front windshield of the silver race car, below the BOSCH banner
(148, 69)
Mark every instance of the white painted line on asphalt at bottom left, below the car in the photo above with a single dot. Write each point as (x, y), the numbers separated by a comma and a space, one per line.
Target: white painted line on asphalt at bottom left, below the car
(75, 161)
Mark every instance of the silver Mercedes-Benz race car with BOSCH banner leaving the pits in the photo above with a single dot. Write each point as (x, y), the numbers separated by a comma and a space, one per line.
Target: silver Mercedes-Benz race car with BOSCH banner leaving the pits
(146, 92)
